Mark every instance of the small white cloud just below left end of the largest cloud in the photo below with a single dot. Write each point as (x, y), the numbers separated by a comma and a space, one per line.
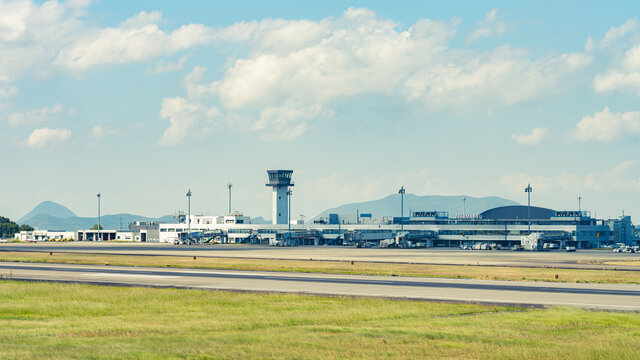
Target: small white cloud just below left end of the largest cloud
(184, 116)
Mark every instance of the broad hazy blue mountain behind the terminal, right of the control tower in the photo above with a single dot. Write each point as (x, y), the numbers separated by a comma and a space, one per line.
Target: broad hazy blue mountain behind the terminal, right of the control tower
(390, 205)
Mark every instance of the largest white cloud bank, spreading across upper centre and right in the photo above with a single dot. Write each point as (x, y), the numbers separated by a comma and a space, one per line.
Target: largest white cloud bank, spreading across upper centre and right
(290, 77)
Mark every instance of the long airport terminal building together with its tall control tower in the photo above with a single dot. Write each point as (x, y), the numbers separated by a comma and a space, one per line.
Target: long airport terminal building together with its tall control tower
(504, 226)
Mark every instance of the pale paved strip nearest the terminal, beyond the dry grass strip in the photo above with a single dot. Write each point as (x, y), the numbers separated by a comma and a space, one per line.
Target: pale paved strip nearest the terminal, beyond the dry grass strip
(579, 259)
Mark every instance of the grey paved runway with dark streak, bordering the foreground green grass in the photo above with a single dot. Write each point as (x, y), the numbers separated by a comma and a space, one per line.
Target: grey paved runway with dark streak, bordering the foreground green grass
(602, 296)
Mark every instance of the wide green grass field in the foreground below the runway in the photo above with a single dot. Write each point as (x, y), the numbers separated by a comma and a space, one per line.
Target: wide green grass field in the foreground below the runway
(53, 321)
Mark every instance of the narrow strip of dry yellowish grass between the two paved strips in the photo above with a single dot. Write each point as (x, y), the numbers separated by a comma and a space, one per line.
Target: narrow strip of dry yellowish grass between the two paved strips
(338, 267)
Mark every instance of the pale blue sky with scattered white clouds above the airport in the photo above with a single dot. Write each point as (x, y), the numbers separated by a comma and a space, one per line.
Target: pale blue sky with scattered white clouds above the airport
(143, 100)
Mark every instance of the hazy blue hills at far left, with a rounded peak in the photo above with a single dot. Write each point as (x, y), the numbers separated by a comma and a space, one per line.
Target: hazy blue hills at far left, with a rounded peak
(53, 216)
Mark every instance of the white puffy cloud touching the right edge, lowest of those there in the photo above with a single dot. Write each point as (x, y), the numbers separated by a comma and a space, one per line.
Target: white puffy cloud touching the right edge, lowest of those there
(605, 126)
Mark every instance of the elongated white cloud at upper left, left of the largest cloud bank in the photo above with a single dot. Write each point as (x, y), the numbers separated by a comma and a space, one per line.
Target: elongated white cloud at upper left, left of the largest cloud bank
(136, 39)
